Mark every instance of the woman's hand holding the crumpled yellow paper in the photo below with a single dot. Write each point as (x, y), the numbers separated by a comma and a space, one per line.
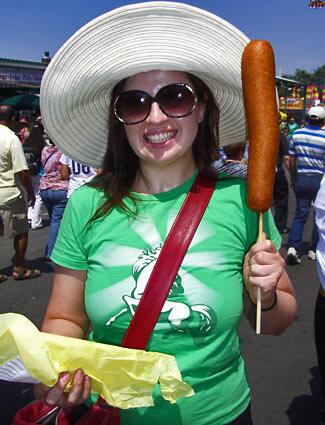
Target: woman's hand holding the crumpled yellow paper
(56, 395)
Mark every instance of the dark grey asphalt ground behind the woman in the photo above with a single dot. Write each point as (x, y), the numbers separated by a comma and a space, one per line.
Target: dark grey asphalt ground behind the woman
(282, 370)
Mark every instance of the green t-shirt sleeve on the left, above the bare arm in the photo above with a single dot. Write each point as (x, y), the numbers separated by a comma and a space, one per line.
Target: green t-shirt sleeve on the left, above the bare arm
(69, 250)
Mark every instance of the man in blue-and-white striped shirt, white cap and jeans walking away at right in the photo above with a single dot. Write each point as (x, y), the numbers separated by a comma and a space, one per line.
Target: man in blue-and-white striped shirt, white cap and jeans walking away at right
(306, 166)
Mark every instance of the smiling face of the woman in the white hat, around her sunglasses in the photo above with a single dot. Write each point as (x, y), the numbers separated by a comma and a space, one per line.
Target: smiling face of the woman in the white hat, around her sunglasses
(161, 140)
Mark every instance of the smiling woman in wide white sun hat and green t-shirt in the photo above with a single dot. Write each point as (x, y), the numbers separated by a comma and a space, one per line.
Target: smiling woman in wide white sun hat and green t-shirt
(164, 92)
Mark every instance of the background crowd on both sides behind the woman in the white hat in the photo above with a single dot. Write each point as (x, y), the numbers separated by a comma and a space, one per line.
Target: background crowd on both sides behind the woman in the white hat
(50, 177)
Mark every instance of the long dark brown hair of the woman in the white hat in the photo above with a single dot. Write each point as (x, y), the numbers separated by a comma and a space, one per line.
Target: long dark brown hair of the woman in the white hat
(121, 165)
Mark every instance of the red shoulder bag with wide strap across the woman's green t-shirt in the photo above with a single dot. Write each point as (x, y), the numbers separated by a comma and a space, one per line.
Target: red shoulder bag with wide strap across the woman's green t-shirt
(146, 315)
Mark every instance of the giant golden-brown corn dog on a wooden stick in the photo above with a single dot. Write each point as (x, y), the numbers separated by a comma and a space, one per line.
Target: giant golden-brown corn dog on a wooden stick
(259, 91)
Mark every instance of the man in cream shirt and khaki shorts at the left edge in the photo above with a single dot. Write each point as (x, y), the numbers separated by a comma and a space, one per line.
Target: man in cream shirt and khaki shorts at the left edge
(15, 186)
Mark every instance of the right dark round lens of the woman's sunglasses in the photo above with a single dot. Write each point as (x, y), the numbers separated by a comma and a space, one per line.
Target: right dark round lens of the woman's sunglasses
(176, 100)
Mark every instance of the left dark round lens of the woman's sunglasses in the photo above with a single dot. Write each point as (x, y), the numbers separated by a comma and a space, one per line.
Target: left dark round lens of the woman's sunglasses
(132, 107)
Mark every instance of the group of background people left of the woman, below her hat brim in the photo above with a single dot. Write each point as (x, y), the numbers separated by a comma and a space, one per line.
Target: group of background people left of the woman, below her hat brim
(34, 174)
